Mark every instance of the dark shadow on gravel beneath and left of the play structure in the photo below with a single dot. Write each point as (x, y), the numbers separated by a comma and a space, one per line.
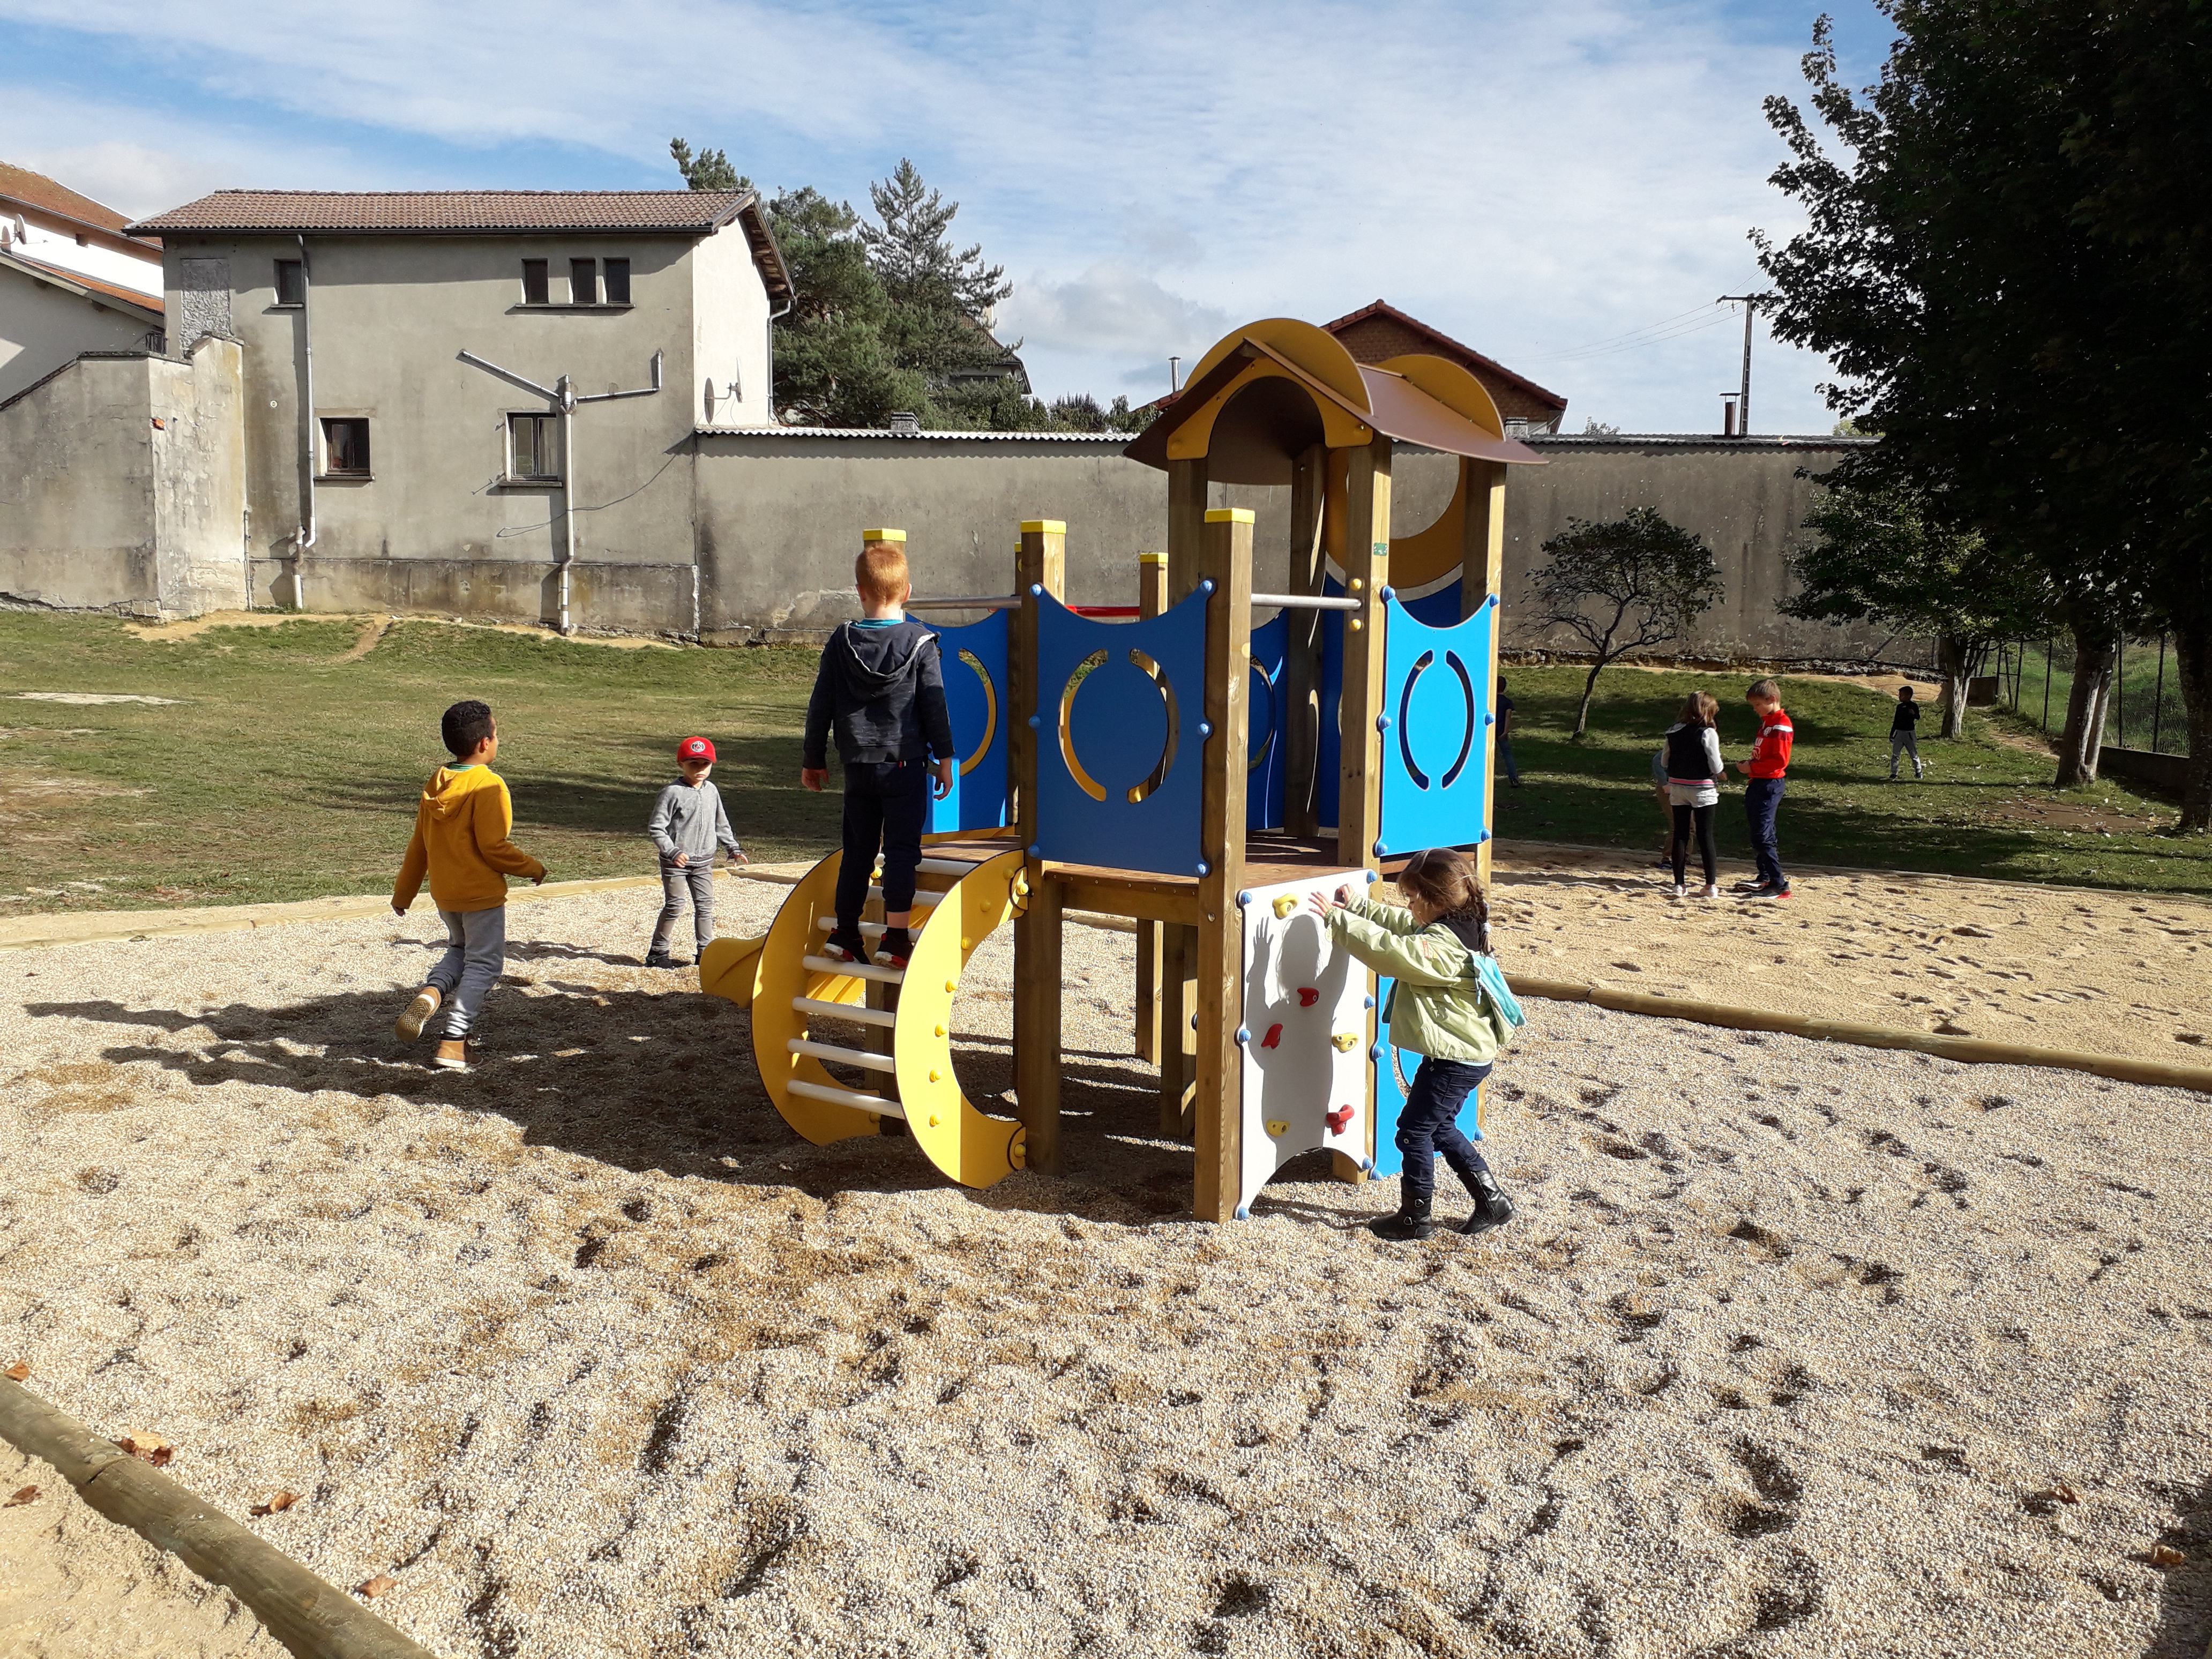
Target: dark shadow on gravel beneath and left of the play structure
(658, 1081)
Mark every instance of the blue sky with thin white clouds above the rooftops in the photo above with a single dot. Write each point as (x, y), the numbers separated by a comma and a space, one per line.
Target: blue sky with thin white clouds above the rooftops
(1563, 187)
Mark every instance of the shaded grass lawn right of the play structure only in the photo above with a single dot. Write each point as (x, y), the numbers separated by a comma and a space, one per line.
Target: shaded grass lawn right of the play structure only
(1987, 808)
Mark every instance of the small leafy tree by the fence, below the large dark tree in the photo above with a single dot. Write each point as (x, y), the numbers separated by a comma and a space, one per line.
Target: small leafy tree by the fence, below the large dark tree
(1886, 556)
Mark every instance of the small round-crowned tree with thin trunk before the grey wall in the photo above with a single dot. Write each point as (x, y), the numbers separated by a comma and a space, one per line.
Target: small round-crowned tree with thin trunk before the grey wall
(1625, 585)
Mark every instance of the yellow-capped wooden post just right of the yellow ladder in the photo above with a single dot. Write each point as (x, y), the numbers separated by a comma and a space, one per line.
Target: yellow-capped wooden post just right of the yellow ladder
(1036, 932)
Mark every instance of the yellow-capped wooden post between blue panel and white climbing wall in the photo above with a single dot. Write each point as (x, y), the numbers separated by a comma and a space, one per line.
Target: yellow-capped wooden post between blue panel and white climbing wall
(1227, 563)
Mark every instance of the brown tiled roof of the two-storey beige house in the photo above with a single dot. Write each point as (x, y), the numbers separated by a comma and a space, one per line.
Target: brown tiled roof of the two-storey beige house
(455, 211)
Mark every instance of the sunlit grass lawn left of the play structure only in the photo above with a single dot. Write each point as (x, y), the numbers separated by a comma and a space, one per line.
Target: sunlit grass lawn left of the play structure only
(284, 771)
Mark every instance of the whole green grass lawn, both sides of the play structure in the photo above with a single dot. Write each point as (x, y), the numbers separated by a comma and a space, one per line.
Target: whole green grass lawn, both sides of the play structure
(286, 766)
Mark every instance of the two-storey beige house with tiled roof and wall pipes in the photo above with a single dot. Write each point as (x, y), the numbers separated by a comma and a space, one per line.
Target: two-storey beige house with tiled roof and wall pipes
(428, 382)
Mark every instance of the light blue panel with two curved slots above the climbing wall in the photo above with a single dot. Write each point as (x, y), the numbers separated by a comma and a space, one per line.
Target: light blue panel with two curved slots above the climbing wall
(1437, 709)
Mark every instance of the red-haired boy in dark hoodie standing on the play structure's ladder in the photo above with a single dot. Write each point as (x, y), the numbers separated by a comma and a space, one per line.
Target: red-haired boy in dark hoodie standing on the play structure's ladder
(884, 689)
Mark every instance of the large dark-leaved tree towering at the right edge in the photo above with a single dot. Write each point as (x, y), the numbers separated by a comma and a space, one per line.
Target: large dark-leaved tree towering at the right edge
(2014, 273)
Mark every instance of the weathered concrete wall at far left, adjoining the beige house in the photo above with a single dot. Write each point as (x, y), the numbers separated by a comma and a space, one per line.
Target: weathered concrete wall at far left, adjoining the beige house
(112, 512)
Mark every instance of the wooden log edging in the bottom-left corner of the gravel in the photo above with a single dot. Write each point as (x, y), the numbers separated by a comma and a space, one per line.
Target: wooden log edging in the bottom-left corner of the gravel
(306, 1614)
